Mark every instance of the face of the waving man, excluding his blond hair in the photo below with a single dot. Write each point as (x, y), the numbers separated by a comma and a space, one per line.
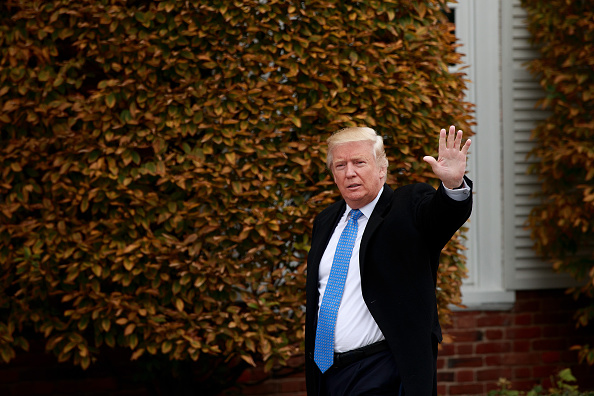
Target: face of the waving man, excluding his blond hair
(356, 173)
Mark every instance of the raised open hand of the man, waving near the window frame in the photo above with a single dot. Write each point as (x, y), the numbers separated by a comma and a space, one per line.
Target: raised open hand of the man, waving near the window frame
(450, 164)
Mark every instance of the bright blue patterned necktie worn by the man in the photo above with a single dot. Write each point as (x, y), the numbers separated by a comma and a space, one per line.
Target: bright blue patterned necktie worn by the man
(324, 349)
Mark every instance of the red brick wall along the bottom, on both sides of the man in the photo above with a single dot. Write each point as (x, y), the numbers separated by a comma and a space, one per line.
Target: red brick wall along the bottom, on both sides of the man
(526, 345)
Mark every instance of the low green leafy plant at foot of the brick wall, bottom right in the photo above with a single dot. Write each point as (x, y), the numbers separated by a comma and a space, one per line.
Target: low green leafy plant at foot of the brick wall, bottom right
(562, 386)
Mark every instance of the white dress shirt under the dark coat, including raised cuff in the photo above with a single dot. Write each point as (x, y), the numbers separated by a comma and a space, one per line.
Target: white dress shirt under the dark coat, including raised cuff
(355, 327)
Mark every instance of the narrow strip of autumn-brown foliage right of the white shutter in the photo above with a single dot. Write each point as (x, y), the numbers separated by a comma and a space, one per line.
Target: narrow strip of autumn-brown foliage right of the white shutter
(563, 225)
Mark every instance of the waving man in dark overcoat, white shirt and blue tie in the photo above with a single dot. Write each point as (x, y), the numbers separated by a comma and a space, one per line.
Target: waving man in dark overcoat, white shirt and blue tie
(371, 321)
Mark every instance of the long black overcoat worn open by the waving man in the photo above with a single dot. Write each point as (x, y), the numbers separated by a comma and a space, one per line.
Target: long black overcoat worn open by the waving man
(398, 257)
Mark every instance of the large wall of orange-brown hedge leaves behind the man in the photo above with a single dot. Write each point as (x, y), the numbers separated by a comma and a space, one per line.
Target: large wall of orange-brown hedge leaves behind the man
(162, 162)
